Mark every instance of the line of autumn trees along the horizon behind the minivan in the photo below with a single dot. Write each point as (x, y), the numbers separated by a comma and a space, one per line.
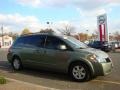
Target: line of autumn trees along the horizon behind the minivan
(68, 30)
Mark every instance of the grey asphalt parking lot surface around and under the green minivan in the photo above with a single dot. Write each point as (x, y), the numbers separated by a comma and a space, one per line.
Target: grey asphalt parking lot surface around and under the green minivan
(62, 81)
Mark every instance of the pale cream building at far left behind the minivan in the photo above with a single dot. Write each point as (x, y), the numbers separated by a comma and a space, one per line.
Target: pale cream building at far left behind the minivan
(5, 41)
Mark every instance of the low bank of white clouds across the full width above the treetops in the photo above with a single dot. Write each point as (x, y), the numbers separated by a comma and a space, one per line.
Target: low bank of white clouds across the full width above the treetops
(17, 22)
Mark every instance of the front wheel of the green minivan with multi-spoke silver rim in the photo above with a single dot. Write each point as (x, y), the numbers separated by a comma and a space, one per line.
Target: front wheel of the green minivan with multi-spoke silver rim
(79, 72)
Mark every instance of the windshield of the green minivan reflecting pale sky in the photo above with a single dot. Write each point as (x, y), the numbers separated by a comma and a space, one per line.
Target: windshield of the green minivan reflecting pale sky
(75, 43)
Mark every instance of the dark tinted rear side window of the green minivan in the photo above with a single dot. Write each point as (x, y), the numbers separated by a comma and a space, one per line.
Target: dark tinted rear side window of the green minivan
(29, 41)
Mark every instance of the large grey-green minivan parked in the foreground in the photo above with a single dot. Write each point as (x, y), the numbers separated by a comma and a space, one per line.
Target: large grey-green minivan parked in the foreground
(59, 53)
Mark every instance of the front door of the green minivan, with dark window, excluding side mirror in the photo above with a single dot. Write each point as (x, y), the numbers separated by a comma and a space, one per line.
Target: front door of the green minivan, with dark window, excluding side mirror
(54, 57)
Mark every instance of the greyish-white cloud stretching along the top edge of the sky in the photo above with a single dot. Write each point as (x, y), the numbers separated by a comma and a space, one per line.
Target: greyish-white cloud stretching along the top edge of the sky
(85, 7)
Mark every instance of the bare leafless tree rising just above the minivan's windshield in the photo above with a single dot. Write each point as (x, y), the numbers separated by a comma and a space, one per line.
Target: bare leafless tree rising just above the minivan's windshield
(67, 29)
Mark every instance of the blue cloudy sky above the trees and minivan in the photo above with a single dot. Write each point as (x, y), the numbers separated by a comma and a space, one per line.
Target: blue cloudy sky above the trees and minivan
(15, 15)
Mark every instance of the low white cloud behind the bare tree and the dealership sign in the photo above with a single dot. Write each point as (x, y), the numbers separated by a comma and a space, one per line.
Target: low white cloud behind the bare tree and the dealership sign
(88, 26)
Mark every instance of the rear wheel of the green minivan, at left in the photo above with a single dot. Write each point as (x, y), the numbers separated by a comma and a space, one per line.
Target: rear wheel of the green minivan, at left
(16, 64)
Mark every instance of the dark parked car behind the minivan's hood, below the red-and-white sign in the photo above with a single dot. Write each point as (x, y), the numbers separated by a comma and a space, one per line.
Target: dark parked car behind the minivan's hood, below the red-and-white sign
(103, 45)
